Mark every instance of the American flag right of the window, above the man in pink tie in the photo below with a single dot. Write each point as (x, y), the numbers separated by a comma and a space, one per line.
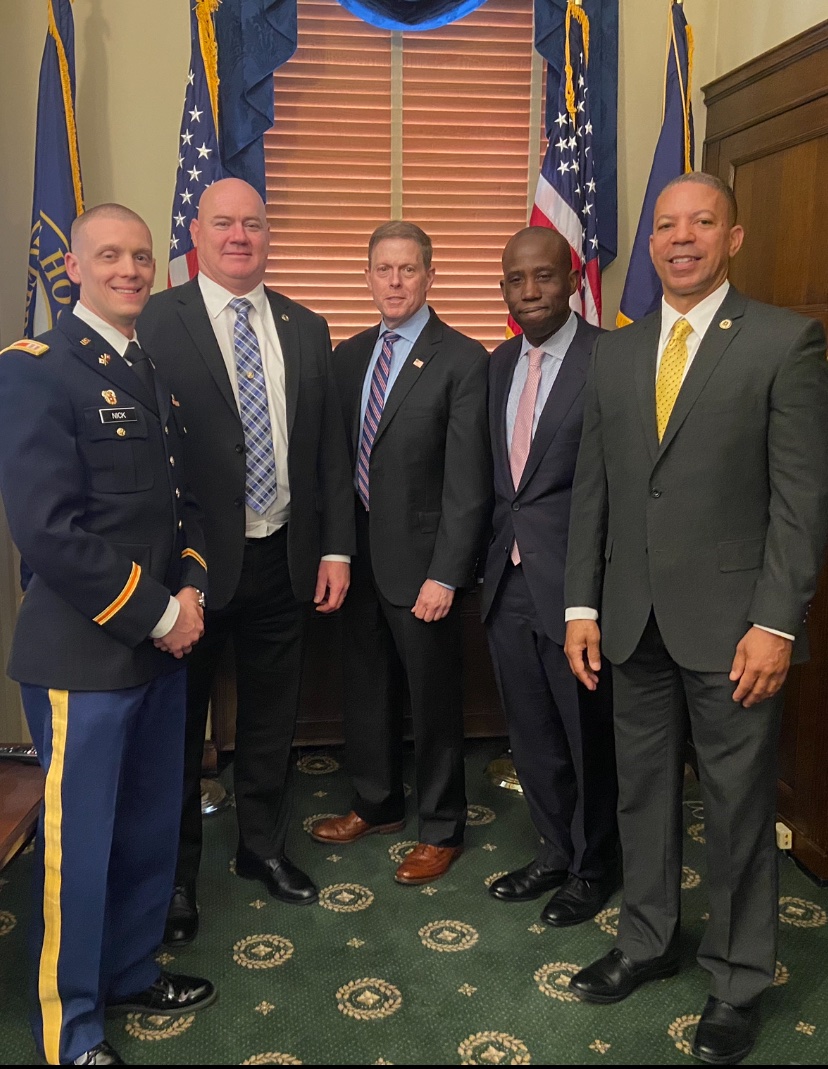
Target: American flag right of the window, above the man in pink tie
(566, 195)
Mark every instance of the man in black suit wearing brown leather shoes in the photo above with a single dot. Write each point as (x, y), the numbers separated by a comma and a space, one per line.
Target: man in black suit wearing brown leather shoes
(414, 394)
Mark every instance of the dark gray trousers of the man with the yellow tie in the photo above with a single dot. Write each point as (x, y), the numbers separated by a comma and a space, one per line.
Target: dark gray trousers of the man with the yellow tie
(738, 768)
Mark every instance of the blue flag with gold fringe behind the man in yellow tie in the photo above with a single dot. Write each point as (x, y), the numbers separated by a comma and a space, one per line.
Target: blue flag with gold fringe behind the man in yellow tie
(674, 157)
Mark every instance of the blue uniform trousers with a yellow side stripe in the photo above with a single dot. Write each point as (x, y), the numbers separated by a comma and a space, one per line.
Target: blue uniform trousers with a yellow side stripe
(105, 851)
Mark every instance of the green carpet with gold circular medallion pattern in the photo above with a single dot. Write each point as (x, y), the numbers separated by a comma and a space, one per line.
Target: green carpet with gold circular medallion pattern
(381, 974)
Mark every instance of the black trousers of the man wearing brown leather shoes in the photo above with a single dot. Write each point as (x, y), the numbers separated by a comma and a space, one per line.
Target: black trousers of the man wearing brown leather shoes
(385, 647)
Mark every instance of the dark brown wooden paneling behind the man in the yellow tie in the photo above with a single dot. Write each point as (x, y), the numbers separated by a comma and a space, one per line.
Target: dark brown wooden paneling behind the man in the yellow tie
(768, 136)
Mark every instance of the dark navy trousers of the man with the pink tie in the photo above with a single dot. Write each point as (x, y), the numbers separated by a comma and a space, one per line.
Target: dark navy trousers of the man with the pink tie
(560, 734)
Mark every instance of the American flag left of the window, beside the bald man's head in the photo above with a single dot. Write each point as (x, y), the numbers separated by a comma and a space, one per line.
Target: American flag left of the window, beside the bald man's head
(199, 162)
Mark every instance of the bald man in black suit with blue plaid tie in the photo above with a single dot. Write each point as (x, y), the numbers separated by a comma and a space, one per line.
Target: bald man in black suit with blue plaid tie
(268, 453)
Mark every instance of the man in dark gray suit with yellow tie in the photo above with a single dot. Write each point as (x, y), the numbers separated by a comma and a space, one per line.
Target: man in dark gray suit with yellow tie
(698, 528)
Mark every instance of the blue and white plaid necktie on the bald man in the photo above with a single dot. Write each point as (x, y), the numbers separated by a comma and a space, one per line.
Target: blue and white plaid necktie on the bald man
(260, 491)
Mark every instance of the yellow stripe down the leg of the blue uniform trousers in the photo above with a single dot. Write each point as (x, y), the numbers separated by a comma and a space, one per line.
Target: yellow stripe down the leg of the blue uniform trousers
(52, 1008)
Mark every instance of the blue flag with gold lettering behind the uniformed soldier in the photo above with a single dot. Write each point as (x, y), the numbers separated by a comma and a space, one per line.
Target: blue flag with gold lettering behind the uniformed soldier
(58, 196)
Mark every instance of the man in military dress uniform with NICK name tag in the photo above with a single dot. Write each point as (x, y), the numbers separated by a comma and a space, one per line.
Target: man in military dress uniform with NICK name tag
(93, 481)
